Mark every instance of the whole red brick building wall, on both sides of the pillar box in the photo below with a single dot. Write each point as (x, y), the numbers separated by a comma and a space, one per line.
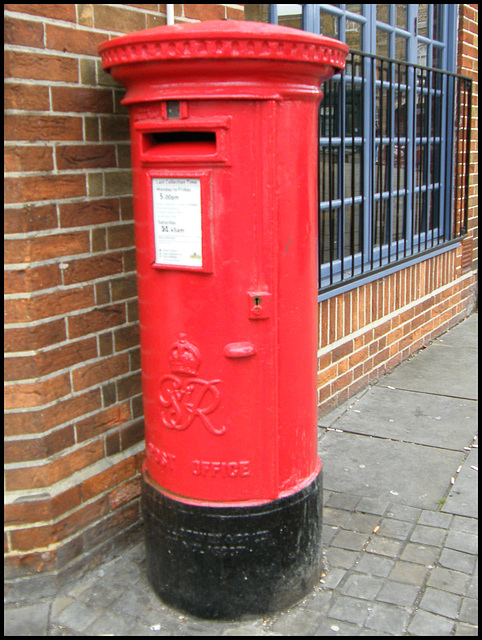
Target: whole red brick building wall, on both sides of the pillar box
(73, 421)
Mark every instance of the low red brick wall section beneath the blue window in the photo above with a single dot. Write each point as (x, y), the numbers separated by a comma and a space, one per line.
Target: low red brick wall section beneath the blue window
(366, 332)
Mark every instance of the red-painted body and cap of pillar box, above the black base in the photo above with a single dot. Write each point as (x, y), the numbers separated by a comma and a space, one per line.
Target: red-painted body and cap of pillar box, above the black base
(228, 346)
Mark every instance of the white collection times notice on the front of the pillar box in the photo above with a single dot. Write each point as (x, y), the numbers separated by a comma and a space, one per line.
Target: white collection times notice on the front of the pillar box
(176, 204)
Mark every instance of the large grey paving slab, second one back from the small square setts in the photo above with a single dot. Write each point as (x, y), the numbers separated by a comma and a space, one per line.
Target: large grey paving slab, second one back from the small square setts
(408, 416)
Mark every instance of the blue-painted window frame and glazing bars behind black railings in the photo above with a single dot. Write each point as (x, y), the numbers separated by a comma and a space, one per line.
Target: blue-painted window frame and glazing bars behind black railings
(372, 259)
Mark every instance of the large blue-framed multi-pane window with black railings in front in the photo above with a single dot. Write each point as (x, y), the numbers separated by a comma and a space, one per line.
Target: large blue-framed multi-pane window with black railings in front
(388, 129)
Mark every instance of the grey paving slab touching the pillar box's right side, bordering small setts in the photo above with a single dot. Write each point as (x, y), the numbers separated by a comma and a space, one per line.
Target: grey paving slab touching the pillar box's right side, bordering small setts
(401, 472)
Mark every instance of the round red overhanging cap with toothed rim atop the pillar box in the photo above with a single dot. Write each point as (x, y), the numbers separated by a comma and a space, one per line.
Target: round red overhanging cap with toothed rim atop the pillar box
(215, 52)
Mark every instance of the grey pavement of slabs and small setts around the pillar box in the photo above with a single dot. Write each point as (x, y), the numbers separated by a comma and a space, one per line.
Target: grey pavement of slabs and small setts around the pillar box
(400, 476)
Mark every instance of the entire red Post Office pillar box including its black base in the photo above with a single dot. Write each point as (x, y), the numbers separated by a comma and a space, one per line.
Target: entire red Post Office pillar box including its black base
(224, 123)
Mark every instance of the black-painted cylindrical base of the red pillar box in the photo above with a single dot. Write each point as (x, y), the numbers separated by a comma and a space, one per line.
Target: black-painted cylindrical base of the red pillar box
(226, 562)
